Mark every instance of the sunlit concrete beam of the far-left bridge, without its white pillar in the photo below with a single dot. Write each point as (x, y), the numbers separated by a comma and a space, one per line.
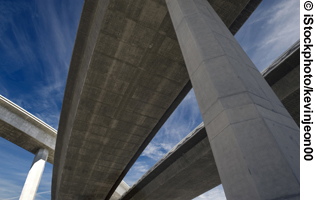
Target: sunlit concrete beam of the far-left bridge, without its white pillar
(25, 130)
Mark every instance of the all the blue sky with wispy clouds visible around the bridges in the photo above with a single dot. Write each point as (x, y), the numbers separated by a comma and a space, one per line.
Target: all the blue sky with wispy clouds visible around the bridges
(36, 42)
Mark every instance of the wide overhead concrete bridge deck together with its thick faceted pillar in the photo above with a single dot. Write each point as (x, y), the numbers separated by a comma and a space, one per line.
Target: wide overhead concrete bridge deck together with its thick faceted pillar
(132, 65)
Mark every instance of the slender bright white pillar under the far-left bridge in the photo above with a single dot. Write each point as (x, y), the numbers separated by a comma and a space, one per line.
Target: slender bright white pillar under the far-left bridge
(34, 175)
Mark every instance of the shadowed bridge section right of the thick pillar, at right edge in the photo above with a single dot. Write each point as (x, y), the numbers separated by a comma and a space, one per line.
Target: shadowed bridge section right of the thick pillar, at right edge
(283, 75)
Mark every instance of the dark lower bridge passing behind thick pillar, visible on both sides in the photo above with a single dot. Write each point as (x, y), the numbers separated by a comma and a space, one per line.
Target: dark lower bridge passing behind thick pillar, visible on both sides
(283, 72)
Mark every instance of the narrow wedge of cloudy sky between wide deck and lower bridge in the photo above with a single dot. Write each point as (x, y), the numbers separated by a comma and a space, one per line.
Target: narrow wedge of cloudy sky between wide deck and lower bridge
(183, 120)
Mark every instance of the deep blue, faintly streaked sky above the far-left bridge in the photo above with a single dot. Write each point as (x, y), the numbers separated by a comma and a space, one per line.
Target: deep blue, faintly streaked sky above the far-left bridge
(37, 40)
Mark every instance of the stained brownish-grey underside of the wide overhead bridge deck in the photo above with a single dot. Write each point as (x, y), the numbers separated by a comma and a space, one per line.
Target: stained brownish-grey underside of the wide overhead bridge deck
(126, 72)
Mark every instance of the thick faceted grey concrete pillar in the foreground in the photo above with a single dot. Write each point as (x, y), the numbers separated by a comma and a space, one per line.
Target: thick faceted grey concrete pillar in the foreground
(254, 140)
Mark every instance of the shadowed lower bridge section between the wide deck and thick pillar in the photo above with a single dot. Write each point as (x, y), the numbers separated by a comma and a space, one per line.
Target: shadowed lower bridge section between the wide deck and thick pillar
(187, 171)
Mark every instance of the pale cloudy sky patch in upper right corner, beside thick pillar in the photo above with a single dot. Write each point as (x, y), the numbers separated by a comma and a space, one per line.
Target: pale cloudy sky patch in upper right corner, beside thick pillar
(271, 29)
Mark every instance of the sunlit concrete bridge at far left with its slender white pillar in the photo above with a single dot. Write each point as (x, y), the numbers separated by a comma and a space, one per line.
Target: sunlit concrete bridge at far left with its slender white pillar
(32, 134)
